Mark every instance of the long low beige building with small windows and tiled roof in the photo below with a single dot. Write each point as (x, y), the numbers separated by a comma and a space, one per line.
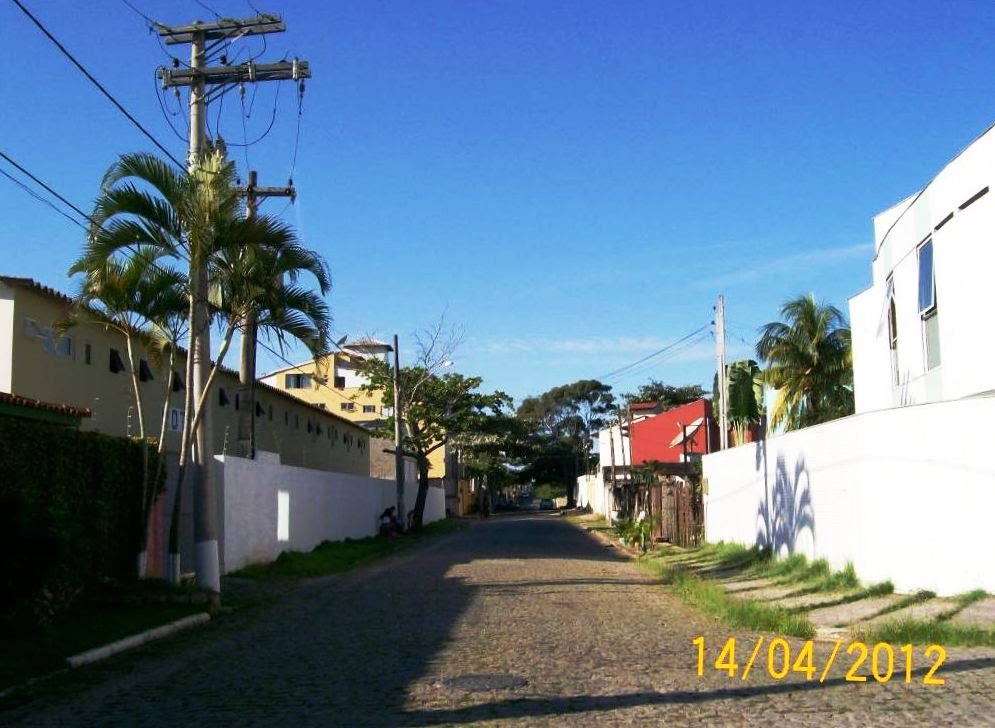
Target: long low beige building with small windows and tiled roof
(88, 368)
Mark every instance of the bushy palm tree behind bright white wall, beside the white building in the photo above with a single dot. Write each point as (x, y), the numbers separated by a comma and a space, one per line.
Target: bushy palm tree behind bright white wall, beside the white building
(809, 361)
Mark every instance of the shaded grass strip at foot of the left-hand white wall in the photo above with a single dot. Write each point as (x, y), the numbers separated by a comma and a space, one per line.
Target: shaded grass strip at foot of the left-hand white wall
(332, 557)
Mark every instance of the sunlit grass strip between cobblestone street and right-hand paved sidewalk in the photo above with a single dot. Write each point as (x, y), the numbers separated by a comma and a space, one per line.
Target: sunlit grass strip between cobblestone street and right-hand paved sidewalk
(713, 600)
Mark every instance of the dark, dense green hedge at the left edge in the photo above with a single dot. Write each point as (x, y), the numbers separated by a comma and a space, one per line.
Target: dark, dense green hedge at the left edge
(70, 512)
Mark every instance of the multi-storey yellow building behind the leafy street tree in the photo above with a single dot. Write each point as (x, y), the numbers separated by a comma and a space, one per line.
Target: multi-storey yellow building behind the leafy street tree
(334, 383)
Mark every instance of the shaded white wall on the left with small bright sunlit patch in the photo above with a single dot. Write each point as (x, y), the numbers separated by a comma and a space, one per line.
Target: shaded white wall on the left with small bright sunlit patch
(269, 508)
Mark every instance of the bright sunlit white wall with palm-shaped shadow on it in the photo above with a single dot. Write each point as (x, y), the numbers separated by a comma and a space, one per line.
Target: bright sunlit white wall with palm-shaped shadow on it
(905, 494)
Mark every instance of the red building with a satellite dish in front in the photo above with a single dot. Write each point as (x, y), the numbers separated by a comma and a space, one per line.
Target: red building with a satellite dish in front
(662, 437)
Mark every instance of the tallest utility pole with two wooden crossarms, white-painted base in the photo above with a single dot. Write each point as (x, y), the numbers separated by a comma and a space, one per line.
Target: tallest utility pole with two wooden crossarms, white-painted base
(204, 38)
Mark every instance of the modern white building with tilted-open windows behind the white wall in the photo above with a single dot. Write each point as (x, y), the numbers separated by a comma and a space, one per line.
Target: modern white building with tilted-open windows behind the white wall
(922, 331)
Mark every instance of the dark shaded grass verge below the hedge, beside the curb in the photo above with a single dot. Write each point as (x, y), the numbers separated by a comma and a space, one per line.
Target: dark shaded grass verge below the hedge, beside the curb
(29, 651)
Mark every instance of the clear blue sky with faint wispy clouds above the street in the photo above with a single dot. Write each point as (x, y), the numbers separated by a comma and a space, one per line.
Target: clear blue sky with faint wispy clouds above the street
(572, 183)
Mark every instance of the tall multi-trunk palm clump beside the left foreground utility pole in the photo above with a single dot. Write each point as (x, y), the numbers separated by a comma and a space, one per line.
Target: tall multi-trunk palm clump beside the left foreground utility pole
(146, 208)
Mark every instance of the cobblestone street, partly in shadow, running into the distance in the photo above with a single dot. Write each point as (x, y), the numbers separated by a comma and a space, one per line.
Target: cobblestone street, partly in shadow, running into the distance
(528, 596)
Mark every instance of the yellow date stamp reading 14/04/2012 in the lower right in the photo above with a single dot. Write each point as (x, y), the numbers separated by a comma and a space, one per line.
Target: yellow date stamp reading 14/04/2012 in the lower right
(885, 661)
